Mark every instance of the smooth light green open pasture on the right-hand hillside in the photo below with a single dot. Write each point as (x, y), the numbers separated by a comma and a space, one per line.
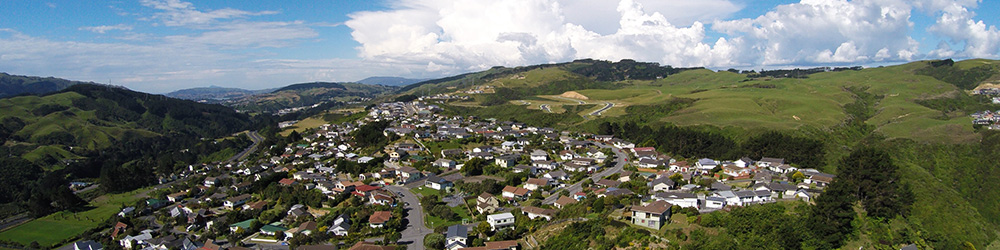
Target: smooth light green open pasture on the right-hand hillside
(725, 99)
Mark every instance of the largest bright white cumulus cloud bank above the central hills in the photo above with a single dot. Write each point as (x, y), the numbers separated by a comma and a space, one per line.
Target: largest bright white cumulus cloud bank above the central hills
(456, 35)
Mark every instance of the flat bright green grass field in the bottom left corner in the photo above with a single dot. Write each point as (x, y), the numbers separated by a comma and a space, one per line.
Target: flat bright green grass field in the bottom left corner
(60, 226)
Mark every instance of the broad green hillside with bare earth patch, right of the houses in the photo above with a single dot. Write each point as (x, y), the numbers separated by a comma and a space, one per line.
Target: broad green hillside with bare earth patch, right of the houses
(918, 111)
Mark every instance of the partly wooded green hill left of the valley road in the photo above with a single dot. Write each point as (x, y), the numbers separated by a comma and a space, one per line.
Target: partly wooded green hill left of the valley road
(84, 118)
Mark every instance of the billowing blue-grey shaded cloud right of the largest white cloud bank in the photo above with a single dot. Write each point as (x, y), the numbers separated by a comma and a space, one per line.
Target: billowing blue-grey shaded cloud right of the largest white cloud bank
(827, 31)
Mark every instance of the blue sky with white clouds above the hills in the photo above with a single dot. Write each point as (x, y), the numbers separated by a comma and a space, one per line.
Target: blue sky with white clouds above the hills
(159, 46)
